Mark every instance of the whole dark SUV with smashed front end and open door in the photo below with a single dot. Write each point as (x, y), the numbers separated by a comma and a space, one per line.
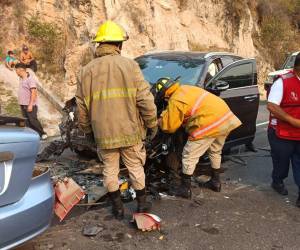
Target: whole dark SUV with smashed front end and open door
(231, 77)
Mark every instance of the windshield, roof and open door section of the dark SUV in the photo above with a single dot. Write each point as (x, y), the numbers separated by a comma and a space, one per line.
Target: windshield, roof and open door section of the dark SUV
(213, 71)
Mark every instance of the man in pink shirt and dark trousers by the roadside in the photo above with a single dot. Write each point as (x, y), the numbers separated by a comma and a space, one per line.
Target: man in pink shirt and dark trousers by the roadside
(28, 99)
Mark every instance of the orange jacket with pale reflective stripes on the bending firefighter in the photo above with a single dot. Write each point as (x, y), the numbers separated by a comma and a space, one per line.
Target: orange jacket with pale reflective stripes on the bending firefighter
(203, 114)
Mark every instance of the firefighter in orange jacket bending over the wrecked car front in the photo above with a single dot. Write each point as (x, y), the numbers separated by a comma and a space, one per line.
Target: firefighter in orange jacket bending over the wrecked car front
(206, 118)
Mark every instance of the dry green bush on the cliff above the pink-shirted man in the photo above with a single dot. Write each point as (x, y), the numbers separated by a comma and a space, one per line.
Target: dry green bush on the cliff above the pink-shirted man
(48, 36)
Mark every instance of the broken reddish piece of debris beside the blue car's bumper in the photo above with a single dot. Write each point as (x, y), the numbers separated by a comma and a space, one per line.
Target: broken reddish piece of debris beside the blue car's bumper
(68, 193)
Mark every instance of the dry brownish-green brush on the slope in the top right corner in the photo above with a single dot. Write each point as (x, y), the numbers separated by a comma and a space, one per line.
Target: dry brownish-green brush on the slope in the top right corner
(279, 22)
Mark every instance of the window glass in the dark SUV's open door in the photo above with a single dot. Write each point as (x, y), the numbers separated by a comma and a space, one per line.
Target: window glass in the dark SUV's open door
(238, 76)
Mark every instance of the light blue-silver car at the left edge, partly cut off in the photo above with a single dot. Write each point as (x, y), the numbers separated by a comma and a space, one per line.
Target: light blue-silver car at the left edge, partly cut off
(26, 195)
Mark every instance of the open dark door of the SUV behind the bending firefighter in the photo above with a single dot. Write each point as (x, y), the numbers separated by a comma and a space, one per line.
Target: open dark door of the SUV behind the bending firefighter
(241, 95)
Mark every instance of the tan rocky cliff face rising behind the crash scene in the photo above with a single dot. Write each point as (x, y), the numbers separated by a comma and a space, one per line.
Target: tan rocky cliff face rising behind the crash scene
(60, 31)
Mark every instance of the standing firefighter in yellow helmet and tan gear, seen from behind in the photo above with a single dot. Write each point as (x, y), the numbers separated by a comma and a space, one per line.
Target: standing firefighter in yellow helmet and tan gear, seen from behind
(115, 104)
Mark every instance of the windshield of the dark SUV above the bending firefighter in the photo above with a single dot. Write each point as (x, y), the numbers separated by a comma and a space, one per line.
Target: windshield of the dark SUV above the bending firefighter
(188, 69)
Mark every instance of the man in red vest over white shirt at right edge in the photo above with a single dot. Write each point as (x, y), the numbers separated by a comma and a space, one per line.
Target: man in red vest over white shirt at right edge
(284, 106)
